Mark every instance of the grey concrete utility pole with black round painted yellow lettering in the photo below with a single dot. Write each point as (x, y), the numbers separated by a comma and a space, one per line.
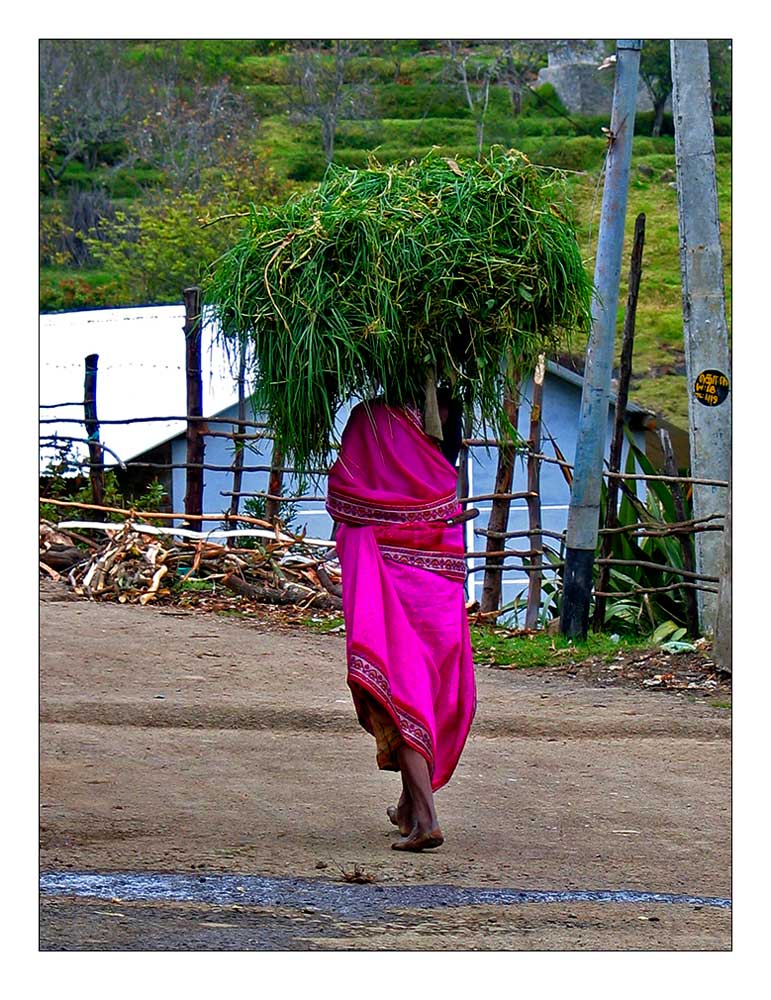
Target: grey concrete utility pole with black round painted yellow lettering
(707, 360)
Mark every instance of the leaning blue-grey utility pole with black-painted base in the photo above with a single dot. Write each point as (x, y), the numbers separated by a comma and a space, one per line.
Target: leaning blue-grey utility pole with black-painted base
(584, 512)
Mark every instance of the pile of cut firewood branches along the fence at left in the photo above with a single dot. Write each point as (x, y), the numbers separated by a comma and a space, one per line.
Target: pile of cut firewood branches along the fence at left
(135, 564)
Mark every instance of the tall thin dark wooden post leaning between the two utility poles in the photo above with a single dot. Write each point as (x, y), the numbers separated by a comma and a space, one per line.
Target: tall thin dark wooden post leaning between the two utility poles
(622, 396)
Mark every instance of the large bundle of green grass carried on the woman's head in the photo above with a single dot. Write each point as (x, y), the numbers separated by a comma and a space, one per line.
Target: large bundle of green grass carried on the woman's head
(380, 277)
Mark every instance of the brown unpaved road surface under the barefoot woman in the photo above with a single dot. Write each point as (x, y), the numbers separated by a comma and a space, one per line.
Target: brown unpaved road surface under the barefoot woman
(179, 742)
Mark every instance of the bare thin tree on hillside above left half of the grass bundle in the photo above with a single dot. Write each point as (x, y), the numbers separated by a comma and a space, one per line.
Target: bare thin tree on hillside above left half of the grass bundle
(323, 92)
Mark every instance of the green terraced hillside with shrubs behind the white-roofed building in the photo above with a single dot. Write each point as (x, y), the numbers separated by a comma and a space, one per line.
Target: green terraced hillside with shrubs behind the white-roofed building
(125, 220)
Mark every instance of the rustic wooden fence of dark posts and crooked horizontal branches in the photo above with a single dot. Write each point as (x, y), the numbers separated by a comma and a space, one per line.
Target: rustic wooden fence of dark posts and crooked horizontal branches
(541, 558)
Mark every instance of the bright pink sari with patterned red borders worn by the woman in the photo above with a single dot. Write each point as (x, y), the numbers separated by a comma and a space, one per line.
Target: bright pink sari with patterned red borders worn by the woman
(391, 491)
